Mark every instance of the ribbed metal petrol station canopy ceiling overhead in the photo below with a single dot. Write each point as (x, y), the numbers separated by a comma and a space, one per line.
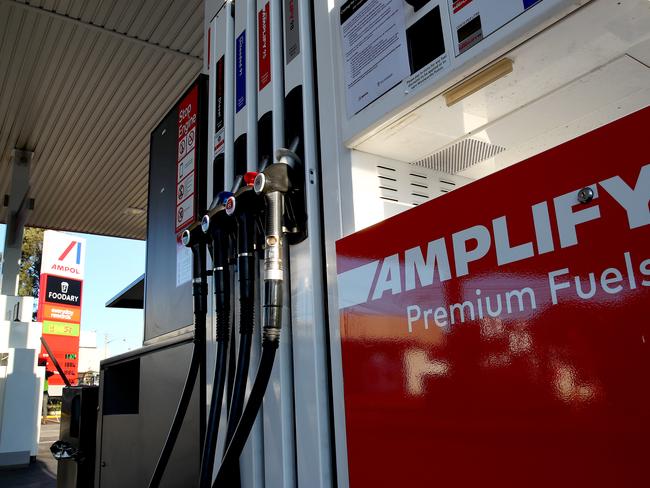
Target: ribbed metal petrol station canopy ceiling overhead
(82, 85)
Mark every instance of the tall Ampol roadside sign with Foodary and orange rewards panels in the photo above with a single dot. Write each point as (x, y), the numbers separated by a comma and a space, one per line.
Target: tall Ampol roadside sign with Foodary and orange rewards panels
(59, 302)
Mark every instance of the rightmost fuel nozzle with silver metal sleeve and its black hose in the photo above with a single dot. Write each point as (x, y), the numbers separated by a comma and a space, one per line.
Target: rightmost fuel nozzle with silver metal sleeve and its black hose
(277, 183)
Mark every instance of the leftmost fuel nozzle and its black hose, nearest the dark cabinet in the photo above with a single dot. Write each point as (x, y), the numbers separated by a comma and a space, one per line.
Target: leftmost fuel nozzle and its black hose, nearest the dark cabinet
(193, 238)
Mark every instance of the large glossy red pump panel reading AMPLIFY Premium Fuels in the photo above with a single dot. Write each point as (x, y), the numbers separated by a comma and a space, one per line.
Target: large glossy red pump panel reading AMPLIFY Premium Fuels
(500, 335)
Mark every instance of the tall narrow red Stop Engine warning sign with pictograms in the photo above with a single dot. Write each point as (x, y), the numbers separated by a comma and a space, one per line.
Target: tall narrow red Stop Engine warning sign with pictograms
(186, 159)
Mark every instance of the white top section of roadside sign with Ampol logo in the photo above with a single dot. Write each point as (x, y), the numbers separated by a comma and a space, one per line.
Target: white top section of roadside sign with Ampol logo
(63, 255)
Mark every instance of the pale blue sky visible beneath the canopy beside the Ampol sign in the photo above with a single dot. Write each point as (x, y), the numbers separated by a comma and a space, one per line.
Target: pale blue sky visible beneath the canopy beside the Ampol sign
(111, 265)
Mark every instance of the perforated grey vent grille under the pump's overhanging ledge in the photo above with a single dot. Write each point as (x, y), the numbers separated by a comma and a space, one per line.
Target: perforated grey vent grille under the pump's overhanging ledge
(460, 156)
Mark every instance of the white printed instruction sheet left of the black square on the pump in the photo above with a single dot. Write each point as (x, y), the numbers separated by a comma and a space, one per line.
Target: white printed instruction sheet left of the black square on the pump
(375, 52)
